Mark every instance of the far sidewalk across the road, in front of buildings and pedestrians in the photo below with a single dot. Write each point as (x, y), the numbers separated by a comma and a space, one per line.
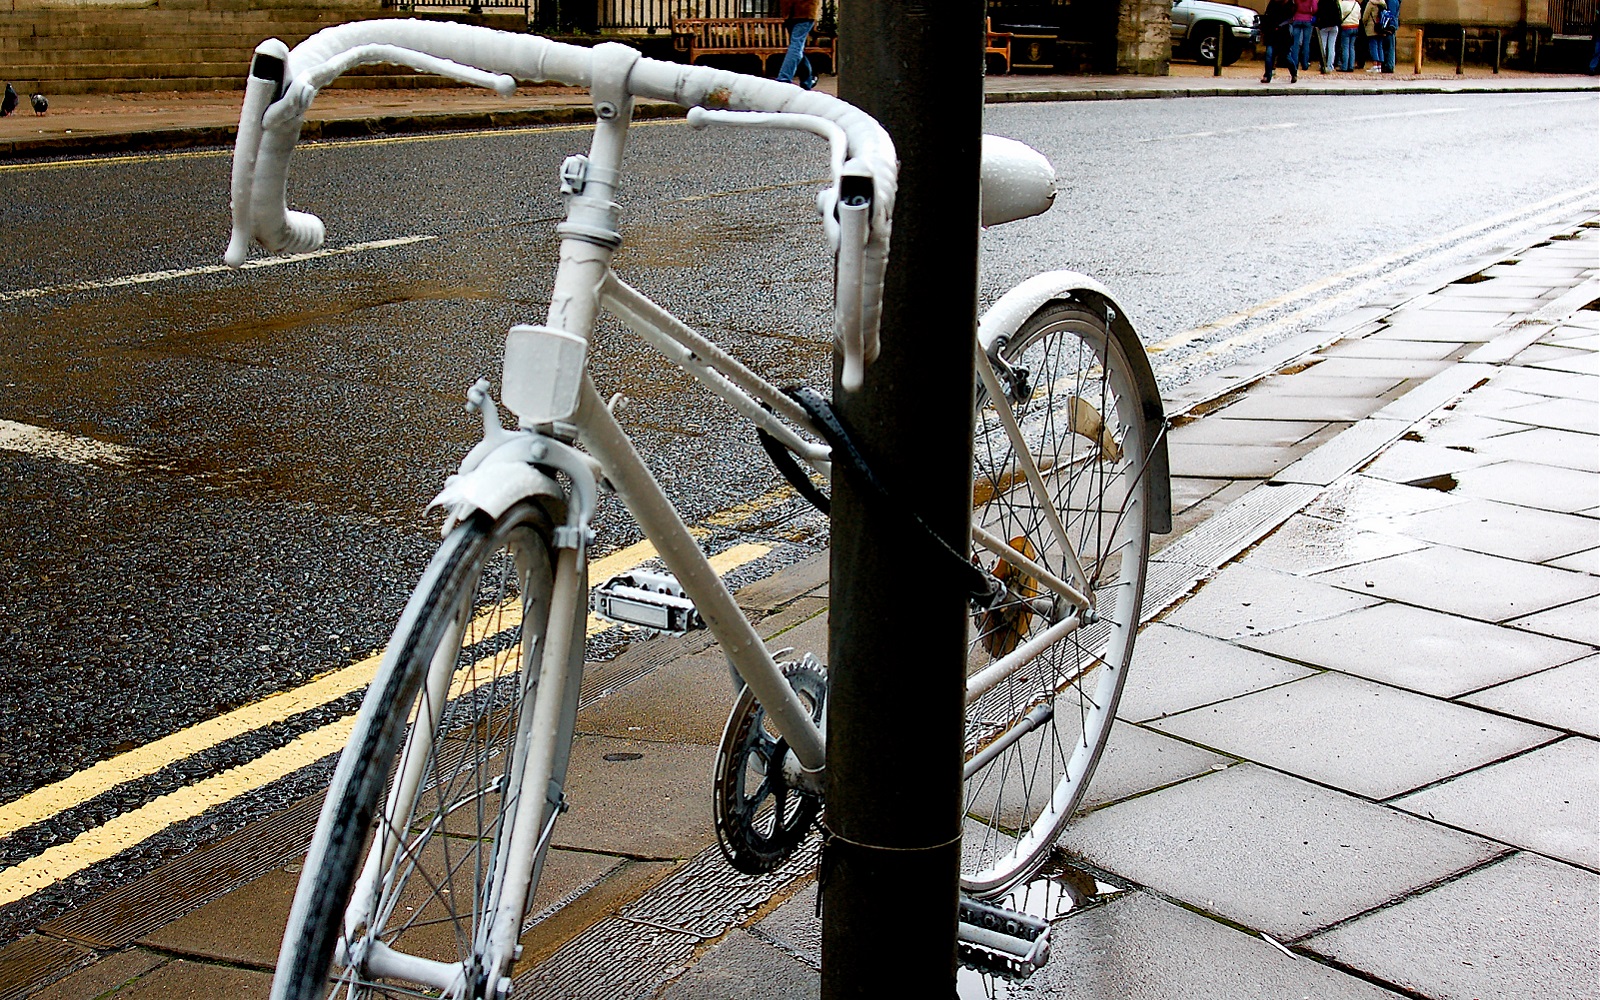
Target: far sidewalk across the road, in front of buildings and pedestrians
(81, 124)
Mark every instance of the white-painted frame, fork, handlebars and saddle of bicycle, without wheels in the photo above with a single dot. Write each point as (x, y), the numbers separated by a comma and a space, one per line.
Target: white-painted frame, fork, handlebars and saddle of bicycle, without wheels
(548, 386)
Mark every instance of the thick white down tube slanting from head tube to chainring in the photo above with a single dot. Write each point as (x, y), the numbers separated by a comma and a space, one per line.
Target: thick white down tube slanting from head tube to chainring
(678, 548)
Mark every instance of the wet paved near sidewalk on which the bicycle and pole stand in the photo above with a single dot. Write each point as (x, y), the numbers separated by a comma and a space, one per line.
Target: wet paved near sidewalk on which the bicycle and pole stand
(1356, 758)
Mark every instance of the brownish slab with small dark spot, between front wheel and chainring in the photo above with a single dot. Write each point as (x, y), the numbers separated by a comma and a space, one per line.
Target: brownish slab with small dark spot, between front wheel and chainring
(652, 806)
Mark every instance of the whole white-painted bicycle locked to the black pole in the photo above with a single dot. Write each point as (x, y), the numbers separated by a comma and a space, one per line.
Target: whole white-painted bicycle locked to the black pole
(444, 802)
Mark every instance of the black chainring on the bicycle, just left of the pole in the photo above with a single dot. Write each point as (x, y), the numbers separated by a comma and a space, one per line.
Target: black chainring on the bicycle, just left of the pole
(761, 818)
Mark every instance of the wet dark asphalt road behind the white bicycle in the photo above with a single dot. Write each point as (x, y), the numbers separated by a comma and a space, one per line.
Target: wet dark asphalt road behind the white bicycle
(215, 481)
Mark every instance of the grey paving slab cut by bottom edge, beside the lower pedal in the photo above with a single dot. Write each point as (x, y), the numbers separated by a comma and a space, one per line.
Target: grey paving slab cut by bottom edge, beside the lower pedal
(1143, 948)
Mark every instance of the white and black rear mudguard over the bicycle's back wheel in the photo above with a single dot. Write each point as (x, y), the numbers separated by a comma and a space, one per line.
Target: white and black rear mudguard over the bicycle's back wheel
(1015, 308)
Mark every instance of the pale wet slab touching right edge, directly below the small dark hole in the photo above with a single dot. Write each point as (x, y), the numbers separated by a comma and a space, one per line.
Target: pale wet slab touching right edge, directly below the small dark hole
(1506, 530)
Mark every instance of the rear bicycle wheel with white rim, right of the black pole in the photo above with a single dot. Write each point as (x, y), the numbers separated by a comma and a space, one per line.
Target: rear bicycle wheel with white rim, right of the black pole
(1079, 414)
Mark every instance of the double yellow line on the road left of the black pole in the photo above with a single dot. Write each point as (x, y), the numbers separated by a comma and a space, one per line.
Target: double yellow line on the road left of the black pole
(132, 828)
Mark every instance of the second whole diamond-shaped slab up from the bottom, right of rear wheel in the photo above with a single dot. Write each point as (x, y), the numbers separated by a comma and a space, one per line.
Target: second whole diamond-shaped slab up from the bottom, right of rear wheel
(1356, 735)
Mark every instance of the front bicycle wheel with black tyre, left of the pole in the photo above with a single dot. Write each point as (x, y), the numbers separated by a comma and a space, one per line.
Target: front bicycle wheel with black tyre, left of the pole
(478, 615)
